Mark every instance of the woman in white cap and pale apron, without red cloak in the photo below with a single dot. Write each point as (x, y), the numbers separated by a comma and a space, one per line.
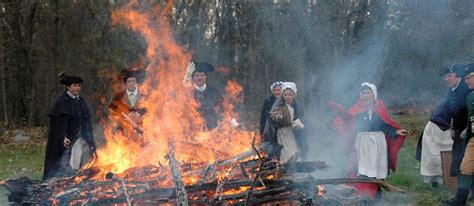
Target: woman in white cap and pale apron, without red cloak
(282, 121)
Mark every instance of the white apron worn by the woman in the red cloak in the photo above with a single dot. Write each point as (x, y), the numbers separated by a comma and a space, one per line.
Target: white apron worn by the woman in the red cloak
(372, 159)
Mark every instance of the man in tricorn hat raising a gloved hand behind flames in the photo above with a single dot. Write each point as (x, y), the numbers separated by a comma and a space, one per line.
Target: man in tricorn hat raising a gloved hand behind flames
(209, 98)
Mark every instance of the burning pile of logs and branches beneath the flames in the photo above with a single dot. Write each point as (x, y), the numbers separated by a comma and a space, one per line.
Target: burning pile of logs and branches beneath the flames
(245, 179)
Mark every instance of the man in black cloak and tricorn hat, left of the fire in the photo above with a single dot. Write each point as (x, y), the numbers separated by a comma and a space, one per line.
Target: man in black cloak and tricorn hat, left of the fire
(69, 121)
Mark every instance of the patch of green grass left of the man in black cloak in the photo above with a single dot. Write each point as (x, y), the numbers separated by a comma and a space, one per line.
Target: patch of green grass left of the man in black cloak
(22, 160)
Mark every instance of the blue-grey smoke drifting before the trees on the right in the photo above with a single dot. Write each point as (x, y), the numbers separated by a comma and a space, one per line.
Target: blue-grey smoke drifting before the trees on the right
(399, 46)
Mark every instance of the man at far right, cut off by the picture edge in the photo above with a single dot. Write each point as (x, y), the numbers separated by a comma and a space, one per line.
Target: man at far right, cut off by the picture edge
(465, 182)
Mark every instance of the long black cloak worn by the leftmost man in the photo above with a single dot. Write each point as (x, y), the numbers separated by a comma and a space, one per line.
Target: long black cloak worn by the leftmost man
(63, 123)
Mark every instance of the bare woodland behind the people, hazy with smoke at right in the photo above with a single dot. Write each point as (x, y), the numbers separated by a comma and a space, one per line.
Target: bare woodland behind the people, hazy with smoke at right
(328, 47)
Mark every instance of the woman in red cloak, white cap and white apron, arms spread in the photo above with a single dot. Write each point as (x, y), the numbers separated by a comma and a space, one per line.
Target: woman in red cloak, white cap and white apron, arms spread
(371, 137)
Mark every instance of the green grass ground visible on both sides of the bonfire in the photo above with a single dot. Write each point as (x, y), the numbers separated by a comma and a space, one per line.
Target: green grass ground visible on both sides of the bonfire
(18, 160)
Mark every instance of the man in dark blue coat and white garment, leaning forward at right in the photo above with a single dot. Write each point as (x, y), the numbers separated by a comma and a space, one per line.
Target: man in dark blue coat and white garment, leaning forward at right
(445, 125)
